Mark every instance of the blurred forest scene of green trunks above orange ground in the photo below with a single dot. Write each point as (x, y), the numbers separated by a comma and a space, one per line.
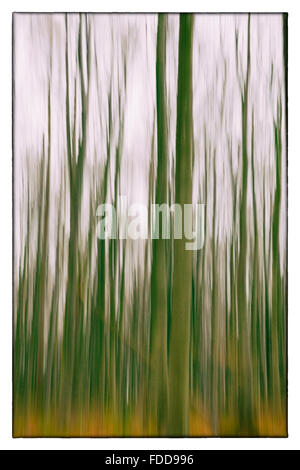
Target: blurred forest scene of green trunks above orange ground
(122, 337)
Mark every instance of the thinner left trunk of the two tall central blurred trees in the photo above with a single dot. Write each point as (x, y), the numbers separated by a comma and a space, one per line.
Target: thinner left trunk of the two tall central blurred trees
(158, 334)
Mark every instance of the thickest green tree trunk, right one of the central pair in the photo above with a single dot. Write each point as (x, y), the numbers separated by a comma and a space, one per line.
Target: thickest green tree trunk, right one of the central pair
(178, 421)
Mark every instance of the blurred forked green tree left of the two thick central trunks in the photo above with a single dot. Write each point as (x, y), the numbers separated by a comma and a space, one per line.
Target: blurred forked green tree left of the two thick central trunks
(73, 311)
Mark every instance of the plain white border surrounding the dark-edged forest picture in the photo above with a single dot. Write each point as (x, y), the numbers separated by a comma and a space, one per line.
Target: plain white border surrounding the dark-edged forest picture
(6, 441)
